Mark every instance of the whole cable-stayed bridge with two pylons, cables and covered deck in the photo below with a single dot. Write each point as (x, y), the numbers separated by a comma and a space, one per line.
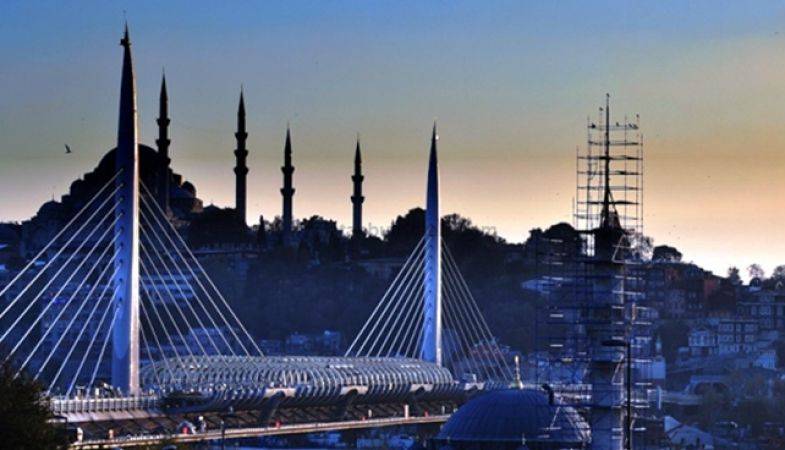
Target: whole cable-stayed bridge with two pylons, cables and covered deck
(124, 328)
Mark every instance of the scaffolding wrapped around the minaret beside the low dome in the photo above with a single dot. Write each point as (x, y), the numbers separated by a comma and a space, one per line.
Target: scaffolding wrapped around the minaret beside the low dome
(596, 333)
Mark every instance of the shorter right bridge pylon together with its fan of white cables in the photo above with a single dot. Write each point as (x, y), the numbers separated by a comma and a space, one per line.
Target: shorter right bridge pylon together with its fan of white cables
(428, 311)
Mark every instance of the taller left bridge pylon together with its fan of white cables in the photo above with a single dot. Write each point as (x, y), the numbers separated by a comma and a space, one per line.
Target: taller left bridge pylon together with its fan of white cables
(117, 288)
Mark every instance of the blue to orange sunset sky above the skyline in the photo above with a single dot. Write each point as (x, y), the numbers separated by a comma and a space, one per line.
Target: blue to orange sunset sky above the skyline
(510, 82)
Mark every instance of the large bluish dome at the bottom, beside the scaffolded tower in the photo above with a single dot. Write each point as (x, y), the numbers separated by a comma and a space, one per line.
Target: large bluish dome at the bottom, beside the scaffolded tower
(514, 419)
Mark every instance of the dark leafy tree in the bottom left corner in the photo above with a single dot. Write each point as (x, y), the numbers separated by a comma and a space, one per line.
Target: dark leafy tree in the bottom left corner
(25, 414)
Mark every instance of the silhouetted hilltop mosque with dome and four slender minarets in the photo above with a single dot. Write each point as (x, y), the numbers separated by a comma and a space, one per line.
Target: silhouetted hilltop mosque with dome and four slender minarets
(177, 196)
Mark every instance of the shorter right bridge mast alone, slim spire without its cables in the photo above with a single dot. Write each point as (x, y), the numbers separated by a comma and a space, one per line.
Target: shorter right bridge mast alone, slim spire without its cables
(432, 323)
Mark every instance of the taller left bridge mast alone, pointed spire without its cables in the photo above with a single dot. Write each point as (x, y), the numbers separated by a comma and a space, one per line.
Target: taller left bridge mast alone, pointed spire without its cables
(125, 332)
